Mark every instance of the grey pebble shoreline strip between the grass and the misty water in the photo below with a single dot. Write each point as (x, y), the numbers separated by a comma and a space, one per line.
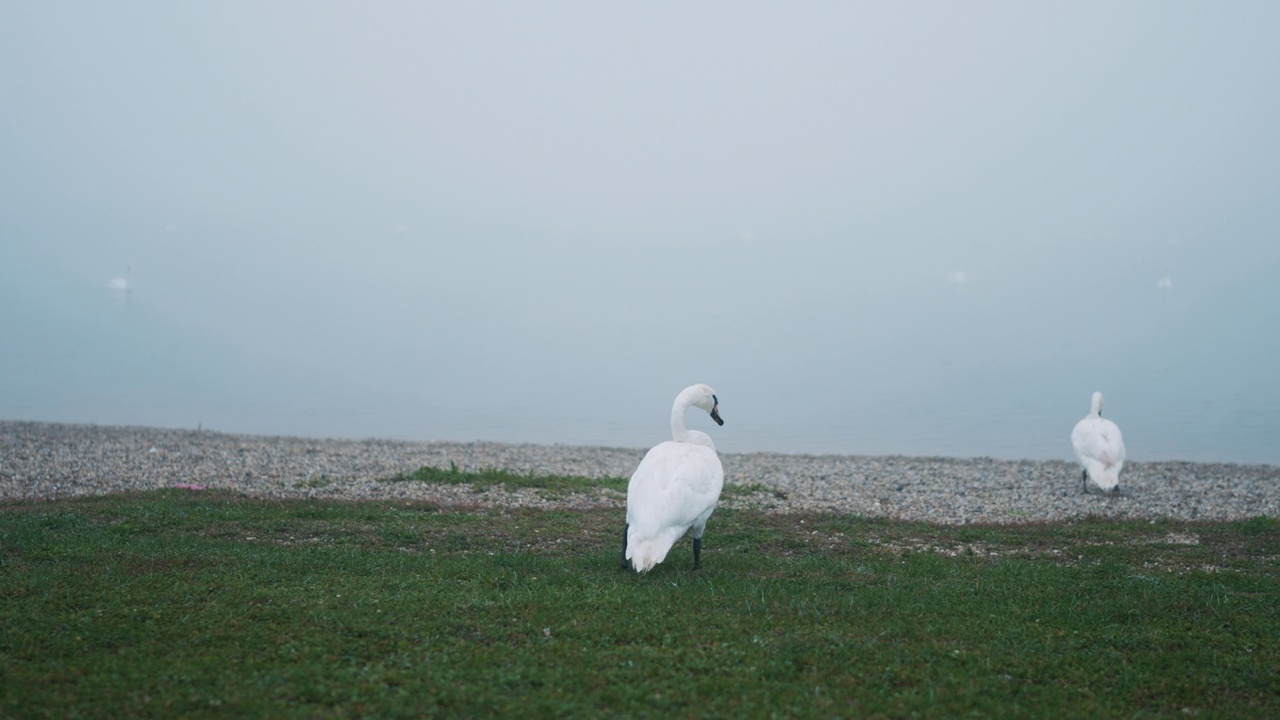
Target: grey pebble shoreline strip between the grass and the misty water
(47, 461)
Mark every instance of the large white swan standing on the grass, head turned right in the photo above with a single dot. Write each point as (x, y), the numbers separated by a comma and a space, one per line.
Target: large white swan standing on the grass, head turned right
(675, 487)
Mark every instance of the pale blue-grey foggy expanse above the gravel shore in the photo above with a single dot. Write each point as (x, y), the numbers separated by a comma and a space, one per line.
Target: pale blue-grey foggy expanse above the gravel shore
(922, 229)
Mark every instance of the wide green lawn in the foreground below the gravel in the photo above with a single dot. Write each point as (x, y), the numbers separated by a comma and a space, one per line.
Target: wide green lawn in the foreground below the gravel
(202, 604)
